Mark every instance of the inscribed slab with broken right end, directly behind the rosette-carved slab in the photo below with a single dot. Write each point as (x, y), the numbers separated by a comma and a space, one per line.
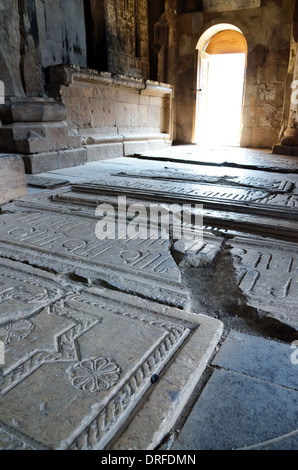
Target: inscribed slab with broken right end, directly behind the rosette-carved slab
(68, 244)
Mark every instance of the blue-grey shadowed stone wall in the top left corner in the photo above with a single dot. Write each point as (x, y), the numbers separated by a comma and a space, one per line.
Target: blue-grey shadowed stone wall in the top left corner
(35, 34)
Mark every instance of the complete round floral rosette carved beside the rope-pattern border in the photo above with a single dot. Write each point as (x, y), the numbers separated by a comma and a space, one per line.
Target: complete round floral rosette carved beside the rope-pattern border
(95, 375)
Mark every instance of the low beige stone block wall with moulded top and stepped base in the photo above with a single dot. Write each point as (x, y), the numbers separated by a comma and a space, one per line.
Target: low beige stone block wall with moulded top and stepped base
(115, 115)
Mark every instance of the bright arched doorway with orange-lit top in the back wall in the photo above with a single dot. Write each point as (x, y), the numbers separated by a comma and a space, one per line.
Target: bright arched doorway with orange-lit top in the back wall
(222, 53)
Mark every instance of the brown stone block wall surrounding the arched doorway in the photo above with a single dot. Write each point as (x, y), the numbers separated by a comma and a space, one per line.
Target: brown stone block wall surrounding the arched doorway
(268, 31)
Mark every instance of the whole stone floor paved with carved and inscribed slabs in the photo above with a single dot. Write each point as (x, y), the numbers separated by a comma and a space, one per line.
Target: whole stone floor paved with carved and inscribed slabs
(209, 357)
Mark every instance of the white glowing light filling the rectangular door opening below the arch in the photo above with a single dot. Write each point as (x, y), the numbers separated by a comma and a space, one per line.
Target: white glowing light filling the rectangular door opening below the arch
(224, 99)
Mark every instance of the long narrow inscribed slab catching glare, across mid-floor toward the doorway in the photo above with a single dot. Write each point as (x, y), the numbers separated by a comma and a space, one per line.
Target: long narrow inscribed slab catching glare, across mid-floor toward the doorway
(212, 196)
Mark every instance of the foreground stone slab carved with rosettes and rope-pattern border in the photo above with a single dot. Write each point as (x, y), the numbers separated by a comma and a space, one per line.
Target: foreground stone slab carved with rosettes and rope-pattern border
(73, 380)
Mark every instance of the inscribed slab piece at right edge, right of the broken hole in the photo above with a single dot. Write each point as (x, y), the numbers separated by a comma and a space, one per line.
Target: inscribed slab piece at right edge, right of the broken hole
(267, 274)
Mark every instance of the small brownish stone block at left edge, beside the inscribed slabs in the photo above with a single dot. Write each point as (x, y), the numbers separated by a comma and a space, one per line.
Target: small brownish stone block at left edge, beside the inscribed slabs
(12, 178)
